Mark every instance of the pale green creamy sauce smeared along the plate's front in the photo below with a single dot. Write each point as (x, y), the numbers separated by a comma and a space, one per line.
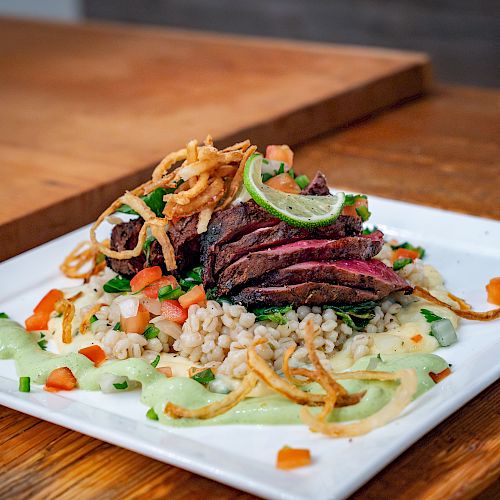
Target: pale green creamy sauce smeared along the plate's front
(157, 390)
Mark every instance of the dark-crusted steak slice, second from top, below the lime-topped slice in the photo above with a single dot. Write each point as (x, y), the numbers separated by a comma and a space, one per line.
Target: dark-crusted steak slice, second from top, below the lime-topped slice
(280, 234)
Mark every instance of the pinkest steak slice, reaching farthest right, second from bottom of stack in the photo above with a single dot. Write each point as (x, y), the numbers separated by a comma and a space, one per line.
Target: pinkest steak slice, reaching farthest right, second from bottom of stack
(364, 274)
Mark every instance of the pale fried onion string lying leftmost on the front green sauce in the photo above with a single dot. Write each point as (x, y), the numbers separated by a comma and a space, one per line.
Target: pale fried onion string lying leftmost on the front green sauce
(218, 407)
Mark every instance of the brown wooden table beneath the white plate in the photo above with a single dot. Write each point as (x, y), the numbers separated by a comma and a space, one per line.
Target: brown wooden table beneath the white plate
(440, 150)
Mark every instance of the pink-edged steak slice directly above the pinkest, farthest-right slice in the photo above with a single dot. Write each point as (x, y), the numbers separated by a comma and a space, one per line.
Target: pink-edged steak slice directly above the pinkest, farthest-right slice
(254, 265)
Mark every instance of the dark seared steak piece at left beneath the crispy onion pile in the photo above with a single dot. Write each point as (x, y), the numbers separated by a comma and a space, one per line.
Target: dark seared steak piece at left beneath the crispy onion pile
(183, 235)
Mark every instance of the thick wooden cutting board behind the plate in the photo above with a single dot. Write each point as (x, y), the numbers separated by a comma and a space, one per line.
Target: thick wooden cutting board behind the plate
(87, 109)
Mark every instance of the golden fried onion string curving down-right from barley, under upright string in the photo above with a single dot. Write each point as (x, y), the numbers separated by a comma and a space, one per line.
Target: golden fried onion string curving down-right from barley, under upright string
(261, 368)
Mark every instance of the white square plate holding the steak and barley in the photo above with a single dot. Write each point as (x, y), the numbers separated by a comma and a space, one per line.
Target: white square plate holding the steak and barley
(467, 252)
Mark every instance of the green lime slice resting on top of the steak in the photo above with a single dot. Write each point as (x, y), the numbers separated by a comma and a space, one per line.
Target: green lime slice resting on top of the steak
(296, 209)
